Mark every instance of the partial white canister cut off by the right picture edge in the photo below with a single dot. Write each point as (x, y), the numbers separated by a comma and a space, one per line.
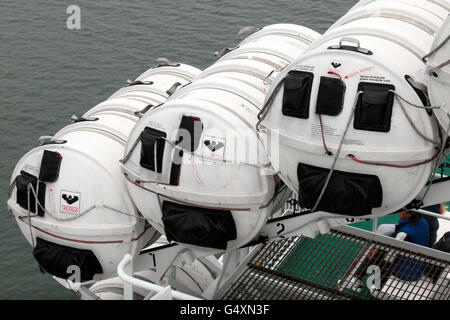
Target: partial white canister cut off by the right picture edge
(438, 75)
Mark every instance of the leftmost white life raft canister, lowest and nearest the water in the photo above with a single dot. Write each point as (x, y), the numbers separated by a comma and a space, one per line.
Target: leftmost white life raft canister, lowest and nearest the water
(68, 195)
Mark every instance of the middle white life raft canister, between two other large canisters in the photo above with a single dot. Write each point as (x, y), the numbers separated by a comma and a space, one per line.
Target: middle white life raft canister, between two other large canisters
(196, 166)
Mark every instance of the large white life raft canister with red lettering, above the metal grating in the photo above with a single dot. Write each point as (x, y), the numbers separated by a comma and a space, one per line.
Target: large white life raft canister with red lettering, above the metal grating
(356, 135)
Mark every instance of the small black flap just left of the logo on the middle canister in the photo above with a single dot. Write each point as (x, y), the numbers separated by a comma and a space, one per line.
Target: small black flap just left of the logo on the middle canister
(189, 133)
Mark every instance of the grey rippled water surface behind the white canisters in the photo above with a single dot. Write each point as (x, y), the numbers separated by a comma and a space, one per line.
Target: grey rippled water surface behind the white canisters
(48, 73)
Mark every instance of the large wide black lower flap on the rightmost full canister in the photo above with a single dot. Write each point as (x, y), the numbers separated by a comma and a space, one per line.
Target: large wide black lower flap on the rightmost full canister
(347, 193)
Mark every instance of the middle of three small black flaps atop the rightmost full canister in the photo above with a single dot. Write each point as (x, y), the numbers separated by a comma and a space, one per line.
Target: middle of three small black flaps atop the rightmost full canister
(330, 99)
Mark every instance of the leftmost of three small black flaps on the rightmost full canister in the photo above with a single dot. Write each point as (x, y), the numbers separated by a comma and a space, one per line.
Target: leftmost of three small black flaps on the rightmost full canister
(297, 94)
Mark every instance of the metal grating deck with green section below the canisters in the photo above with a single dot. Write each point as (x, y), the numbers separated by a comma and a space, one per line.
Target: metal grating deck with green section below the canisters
(334, 267)
